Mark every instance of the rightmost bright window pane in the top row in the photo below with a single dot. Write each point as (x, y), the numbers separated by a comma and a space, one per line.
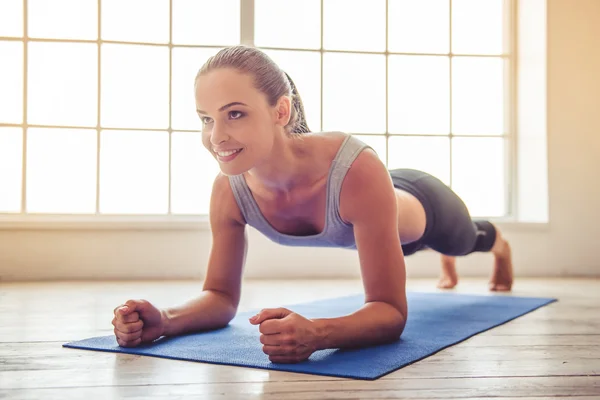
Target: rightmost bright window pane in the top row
(477, 26)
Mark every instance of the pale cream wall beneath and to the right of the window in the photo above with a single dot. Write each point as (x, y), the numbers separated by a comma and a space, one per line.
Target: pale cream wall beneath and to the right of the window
(567, 246)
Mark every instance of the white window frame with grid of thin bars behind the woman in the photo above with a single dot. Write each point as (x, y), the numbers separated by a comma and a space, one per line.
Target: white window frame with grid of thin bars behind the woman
(26, 220)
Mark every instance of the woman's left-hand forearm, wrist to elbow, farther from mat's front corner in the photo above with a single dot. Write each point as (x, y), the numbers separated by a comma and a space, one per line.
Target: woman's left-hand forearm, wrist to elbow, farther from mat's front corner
(210, 310)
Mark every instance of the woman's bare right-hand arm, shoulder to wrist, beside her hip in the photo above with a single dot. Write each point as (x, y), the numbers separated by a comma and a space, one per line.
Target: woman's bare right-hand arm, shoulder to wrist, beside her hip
(368, 202)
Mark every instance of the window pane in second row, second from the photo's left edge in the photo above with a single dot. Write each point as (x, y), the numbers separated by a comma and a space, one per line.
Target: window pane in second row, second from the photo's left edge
(62, 84)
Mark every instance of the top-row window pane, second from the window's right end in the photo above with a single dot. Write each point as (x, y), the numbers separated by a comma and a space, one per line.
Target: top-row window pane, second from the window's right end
(419, 26)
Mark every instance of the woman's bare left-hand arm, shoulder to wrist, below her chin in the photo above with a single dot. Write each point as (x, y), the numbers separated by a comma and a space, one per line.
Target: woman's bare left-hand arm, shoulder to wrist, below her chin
(216, 306)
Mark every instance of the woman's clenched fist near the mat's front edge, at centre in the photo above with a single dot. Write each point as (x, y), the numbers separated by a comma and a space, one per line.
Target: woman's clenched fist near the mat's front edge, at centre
(287, 337)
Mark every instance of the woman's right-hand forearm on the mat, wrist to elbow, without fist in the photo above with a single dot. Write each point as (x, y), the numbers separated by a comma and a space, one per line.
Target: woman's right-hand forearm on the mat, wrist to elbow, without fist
(375, 323)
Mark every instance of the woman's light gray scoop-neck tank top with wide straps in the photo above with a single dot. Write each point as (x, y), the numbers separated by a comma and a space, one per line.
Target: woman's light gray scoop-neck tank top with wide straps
(336, 232)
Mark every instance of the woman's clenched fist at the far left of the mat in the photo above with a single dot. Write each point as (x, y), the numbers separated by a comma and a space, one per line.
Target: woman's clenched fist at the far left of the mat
(137, 321)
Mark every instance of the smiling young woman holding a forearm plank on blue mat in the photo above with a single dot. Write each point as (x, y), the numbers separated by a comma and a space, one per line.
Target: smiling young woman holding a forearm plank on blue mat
(301, 188)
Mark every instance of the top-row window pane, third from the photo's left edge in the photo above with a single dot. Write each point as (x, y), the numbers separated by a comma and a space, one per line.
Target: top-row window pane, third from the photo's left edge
(136, 20)
